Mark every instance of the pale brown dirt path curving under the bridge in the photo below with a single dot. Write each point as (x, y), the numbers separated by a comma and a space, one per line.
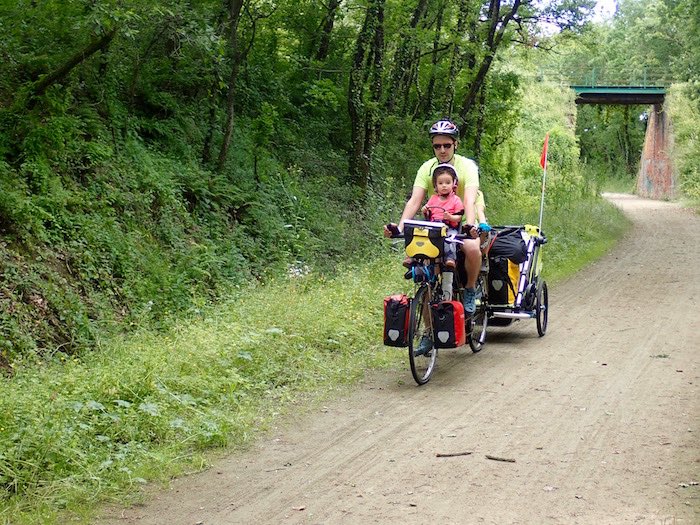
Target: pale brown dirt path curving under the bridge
(601, 417)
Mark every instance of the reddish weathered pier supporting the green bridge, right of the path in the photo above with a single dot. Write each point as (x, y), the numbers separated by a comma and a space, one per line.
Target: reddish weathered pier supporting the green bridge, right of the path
(657, 177)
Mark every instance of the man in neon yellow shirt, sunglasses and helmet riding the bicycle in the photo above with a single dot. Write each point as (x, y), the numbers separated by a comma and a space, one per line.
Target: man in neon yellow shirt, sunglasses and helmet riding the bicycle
(444, 135)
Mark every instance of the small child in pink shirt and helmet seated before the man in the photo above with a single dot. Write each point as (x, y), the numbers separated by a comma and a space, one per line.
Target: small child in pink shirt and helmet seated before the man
(447, 207)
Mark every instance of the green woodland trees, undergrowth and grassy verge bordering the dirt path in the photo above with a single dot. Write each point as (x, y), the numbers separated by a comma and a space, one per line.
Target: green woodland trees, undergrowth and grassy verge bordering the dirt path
(169, 170)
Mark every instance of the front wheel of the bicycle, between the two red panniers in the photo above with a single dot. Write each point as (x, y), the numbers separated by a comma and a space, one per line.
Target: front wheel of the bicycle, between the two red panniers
(421, 352)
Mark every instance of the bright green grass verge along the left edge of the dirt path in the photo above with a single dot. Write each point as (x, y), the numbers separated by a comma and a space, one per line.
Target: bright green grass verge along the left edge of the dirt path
(78, 432)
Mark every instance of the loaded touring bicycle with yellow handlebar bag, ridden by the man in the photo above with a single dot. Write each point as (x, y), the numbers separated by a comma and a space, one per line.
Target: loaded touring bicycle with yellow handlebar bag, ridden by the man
(426, 250)
